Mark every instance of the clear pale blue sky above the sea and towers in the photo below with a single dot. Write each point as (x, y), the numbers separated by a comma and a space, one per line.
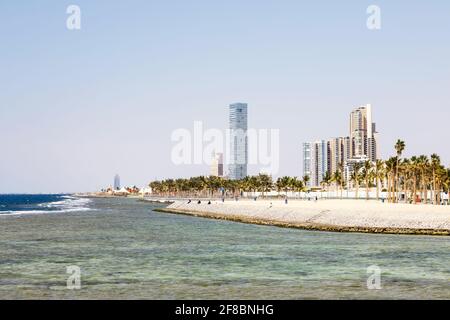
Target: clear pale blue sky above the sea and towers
(79, 106)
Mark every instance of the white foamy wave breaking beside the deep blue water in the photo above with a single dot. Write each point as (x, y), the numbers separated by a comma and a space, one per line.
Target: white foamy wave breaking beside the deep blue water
(68, 204)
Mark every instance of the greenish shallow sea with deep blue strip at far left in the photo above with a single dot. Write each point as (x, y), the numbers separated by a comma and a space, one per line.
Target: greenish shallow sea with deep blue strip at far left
(125, 250)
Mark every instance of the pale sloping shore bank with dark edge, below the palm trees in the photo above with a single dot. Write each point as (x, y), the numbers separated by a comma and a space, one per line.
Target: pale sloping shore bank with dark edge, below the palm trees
(326, 215)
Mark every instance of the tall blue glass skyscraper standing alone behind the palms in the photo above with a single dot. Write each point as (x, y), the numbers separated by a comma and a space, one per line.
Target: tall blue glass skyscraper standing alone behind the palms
(237, 167)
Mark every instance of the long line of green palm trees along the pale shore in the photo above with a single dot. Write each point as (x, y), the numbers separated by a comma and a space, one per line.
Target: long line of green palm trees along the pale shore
(416, 179)
